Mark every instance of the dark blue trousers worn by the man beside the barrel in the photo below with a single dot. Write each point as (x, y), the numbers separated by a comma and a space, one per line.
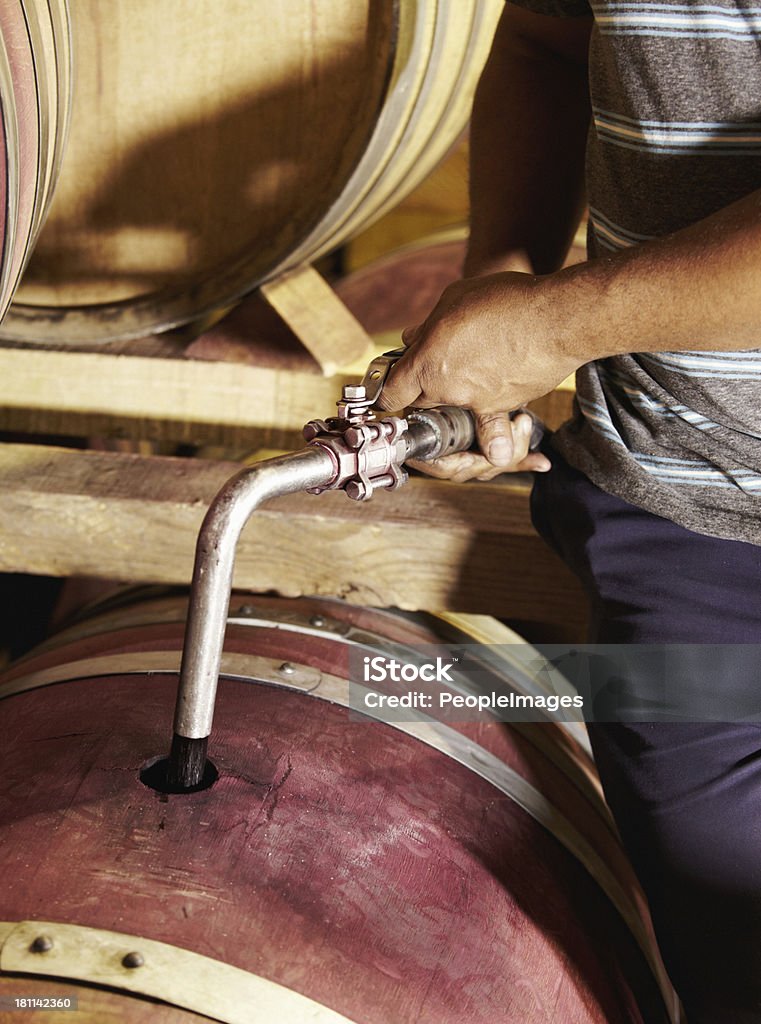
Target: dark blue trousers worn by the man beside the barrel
(687, 796)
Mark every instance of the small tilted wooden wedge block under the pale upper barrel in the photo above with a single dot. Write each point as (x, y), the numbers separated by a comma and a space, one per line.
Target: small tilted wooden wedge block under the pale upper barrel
(318, 318)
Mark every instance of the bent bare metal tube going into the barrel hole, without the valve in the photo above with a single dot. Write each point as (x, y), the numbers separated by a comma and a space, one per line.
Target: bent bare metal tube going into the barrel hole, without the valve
(210, 593)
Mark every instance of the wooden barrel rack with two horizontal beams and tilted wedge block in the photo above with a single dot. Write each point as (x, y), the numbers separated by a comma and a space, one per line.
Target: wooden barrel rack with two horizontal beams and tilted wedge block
(136, 518)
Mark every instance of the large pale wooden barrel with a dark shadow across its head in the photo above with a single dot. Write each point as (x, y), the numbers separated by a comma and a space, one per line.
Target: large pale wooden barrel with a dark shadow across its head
(209, 154)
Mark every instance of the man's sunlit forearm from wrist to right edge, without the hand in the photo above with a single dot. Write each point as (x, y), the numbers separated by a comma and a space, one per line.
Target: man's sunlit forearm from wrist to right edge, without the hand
(699, 289)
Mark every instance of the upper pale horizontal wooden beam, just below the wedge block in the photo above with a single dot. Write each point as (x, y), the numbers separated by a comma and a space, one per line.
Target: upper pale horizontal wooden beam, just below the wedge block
(193, 401)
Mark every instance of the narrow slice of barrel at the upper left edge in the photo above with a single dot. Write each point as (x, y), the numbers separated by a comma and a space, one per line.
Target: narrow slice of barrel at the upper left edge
(35, 80)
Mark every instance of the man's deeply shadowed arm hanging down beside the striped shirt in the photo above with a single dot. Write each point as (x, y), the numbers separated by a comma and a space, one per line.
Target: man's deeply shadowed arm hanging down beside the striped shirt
(529, 133)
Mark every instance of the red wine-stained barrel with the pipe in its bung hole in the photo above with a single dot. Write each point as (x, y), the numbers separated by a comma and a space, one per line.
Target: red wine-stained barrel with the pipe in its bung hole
(341, 869)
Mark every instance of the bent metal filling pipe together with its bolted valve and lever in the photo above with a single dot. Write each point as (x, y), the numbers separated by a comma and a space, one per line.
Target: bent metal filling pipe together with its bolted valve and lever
(356, 452)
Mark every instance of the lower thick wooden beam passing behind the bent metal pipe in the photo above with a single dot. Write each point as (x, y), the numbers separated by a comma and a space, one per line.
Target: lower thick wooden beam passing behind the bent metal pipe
(132, 519)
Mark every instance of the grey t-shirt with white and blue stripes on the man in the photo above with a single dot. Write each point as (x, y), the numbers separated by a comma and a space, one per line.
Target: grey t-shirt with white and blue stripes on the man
(675, 137)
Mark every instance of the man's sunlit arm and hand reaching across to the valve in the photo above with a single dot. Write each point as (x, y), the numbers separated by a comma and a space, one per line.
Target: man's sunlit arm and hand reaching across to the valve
(499, 342)
